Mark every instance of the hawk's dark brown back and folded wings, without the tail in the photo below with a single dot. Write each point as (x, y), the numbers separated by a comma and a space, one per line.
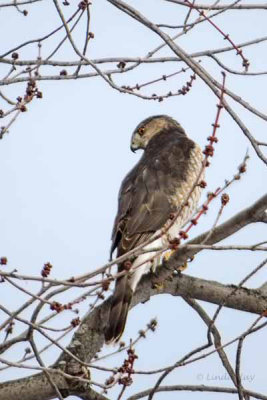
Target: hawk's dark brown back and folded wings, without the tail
(145, 195)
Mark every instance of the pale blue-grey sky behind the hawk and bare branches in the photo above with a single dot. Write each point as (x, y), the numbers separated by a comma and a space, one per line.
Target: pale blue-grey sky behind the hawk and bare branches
(63, 161)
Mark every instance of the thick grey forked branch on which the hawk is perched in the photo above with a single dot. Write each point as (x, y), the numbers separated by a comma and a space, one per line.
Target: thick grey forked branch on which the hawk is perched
(89, 338)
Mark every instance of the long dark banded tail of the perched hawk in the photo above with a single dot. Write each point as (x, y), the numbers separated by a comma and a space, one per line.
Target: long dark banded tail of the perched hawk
(121, 300)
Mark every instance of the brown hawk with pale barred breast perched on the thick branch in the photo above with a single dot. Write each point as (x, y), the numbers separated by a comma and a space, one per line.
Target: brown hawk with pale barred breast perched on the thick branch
(149, 196)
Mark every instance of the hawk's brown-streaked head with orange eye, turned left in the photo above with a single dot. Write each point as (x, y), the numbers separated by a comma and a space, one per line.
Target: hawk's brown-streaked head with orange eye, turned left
(151, 127)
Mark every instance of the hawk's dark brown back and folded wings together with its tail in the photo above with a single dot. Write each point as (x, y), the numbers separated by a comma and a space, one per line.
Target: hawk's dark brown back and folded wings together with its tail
(145, 204)
